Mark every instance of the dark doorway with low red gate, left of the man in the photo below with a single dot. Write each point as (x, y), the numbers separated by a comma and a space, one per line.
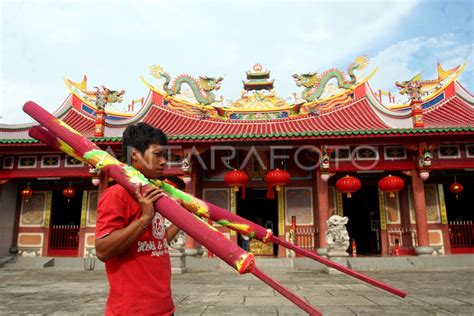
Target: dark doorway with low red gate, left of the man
(65, 224)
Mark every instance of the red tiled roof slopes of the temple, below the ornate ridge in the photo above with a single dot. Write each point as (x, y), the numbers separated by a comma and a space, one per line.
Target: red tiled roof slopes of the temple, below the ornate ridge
(363, 117)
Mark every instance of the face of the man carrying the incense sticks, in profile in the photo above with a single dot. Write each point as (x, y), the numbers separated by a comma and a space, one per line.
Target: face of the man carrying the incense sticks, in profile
(152, 163)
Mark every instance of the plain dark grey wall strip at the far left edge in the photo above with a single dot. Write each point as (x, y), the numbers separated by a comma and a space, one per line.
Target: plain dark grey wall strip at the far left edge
(8, 194)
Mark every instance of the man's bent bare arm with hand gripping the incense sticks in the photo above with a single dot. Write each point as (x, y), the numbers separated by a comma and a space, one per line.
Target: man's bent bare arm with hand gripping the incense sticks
(120, 240)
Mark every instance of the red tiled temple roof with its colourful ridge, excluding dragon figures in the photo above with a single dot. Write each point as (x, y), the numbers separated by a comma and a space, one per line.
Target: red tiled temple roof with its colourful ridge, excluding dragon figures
(357, 112)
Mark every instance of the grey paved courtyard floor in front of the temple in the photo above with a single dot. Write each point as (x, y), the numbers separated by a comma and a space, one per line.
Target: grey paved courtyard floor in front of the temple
(63, 291)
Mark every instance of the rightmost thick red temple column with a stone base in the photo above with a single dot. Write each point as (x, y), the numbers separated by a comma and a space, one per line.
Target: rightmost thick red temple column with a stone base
(420, 214)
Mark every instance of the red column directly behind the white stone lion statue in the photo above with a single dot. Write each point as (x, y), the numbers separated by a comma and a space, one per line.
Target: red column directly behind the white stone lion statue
(323, 211)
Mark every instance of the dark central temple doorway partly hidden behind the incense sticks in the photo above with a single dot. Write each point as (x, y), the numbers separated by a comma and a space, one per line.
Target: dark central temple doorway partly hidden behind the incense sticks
(262, 211)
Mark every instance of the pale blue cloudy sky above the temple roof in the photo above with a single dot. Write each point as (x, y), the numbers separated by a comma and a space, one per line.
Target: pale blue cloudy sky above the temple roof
(115, 42)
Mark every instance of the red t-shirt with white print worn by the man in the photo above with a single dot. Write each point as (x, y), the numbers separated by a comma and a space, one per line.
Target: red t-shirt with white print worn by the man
(140, 277)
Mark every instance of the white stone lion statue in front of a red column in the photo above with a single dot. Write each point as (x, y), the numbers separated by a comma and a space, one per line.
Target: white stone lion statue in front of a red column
(337, 237)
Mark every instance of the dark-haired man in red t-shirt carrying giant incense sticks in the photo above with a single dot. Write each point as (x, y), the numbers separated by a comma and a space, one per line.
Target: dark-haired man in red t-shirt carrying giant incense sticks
(130, 236)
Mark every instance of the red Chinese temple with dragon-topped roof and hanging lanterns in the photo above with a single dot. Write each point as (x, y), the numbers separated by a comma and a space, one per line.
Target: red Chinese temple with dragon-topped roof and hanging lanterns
(399, 167)
